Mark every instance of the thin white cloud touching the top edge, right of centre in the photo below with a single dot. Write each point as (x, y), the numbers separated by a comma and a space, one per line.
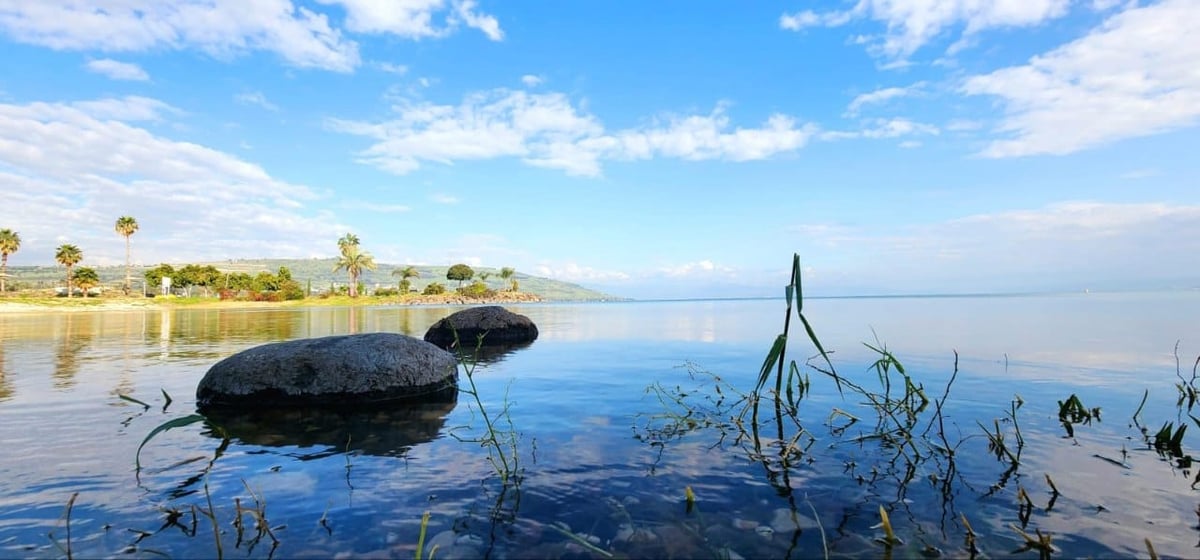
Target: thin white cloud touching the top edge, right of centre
(911, 25)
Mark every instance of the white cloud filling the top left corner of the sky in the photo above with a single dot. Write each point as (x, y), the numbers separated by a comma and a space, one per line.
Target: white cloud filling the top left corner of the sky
(220, 28)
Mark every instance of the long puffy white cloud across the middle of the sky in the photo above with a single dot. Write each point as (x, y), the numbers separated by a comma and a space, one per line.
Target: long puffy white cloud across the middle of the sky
(545, 130)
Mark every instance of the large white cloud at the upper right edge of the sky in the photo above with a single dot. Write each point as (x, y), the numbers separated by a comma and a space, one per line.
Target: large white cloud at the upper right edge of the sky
(1133, 76)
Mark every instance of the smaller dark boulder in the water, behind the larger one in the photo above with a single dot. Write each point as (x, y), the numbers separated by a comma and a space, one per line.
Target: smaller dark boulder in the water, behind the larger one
(497, 326)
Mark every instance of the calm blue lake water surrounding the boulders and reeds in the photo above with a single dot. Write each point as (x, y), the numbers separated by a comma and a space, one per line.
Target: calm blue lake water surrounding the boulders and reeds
(599, 457)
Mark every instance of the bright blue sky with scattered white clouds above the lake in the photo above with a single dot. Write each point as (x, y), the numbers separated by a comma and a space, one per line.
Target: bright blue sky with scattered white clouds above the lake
(644, 149)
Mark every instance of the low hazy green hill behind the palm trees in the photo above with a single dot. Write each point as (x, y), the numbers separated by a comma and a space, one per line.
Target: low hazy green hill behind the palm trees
(321, 274)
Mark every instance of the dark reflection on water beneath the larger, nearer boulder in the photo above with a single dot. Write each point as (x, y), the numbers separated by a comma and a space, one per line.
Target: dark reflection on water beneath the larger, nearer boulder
(388, 432)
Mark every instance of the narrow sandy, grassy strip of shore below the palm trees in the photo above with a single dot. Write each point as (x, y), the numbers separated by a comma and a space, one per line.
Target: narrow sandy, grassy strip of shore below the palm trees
(81, 305)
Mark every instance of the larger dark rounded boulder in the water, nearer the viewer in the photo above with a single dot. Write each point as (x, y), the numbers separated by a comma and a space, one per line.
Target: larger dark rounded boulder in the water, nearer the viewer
(350, 370)
